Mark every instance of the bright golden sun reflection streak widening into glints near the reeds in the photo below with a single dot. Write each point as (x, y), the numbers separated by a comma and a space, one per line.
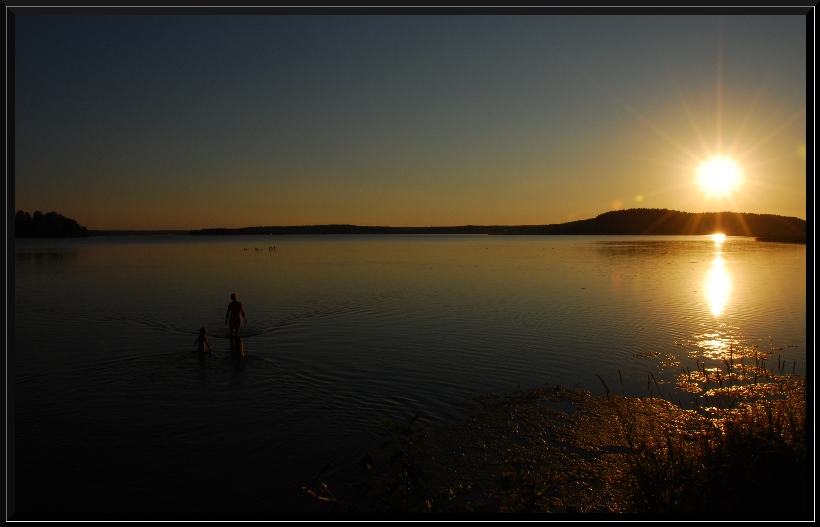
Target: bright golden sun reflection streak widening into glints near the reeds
(721, 368)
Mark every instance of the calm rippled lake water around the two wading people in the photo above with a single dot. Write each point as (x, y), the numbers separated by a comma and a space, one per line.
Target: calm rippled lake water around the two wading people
(115, 411)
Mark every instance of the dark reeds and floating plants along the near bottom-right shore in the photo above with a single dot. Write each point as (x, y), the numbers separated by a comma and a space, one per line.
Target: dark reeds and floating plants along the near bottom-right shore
(744, 454)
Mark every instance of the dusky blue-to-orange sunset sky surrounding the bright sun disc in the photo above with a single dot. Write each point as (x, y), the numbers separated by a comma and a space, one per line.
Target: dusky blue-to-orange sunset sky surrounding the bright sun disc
(195, 121)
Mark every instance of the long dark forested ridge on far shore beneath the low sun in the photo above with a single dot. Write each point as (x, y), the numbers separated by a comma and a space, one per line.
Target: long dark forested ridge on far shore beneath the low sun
(620, 222)
